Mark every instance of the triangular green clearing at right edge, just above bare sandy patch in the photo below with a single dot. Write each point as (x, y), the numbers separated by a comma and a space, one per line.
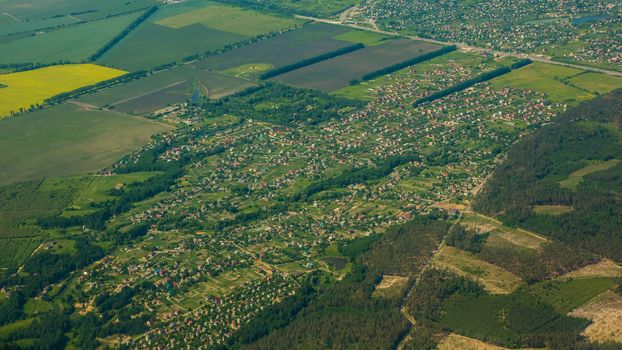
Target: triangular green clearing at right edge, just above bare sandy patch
(567, 295)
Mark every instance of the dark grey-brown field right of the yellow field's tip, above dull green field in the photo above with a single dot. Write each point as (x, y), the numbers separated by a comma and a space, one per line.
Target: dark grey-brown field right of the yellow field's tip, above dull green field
(164, 88)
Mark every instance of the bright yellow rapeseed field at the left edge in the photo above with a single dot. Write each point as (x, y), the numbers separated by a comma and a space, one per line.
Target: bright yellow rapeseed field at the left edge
(24, 89)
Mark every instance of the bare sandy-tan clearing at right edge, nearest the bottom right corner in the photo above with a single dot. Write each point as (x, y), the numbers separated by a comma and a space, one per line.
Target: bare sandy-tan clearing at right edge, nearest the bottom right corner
(605, 311)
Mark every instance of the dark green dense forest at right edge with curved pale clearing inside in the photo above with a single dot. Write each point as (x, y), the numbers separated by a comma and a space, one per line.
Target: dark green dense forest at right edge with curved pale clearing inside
(570, 164)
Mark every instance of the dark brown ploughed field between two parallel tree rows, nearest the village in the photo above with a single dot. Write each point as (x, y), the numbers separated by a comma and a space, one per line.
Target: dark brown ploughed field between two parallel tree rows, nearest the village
(336, 73)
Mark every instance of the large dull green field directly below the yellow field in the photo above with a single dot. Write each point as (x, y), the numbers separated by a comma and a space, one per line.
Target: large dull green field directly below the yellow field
(65, 140)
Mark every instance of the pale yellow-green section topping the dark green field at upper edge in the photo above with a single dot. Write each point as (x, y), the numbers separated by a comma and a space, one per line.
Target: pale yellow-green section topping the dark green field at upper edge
(229, 19)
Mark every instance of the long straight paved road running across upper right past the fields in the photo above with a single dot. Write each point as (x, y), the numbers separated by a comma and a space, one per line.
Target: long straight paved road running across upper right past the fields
(466, 47)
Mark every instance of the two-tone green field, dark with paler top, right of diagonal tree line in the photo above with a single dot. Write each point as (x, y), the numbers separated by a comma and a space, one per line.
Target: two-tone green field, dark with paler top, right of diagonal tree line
(182, 30)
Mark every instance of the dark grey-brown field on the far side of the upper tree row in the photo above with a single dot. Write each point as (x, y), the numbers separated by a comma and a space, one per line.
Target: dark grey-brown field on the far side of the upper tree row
(292, 46)
